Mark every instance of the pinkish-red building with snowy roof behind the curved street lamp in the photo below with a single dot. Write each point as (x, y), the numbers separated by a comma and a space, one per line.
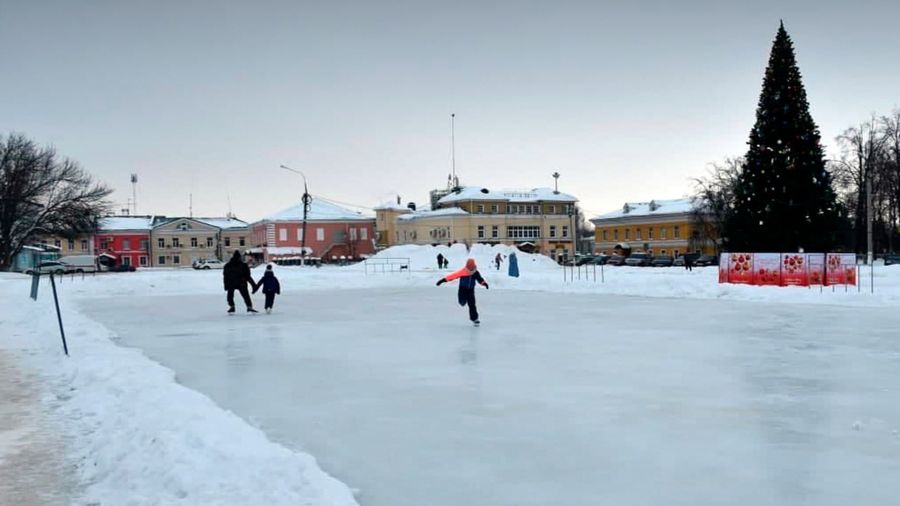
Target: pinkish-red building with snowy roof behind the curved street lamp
(332, 232)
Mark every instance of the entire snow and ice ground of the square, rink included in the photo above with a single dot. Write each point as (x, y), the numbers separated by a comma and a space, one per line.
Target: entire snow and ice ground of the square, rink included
(658, 385)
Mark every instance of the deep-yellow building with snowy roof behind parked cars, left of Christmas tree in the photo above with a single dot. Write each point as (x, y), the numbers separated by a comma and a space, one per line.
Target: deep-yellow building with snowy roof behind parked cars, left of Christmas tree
(658, 227)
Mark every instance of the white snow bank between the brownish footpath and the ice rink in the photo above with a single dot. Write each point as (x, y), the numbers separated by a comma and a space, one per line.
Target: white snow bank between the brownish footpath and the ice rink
(138, 437)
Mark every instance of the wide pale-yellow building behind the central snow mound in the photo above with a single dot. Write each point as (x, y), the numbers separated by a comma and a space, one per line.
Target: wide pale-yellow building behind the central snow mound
(538, 220)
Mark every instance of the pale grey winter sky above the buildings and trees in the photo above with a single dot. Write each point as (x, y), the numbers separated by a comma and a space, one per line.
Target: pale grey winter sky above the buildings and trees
(628, 101)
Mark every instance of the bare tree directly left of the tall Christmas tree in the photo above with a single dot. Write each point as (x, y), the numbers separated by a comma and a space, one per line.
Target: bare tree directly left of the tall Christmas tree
(713, 200)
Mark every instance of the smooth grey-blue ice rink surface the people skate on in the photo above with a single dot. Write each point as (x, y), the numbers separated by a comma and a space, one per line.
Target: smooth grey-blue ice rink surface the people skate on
(557, 399)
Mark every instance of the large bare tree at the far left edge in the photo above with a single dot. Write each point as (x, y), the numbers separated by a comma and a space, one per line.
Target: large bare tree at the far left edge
(43, 194)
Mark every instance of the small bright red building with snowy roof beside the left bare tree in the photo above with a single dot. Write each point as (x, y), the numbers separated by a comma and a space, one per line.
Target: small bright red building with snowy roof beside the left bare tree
(125, 238)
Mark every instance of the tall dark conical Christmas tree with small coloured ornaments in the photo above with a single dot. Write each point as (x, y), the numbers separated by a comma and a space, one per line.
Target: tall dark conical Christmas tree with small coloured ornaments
(784, 200)
